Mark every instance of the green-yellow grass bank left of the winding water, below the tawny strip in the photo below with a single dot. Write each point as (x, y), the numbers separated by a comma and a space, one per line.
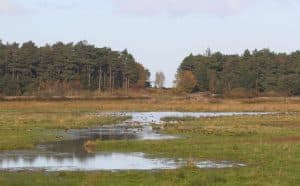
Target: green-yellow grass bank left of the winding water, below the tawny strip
(21, 130)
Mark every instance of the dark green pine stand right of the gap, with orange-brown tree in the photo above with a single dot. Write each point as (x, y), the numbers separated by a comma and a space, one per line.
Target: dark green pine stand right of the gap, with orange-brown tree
(253, 73)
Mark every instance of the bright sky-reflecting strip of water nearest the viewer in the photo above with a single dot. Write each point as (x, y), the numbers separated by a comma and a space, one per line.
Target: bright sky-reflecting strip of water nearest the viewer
(90, 162)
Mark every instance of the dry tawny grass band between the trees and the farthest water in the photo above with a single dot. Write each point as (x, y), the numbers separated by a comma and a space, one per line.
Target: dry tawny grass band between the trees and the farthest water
(157, 104)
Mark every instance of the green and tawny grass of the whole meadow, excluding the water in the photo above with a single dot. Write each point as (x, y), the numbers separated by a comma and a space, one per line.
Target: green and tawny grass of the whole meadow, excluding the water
(269, 145)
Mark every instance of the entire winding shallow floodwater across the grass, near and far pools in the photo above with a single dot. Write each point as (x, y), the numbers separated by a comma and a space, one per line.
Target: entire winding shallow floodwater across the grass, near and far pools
(72, 155)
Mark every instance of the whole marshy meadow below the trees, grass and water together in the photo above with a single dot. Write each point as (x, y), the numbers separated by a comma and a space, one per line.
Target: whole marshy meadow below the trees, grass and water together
(111, 142)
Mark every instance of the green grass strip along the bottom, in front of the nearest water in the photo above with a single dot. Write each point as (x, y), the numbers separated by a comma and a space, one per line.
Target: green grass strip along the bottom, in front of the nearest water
(184, 176)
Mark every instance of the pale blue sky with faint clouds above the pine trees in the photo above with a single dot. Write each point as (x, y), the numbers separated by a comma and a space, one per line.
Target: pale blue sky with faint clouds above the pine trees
(159, 33)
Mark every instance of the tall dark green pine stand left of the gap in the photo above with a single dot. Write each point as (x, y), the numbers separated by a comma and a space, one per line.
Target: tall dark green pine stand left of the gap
(26, 69)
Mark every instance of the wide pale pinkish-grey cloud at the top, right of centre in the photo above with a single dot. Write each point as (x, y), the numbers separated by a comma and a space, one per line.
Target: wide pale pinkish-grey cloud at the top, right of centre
(186, 7)
